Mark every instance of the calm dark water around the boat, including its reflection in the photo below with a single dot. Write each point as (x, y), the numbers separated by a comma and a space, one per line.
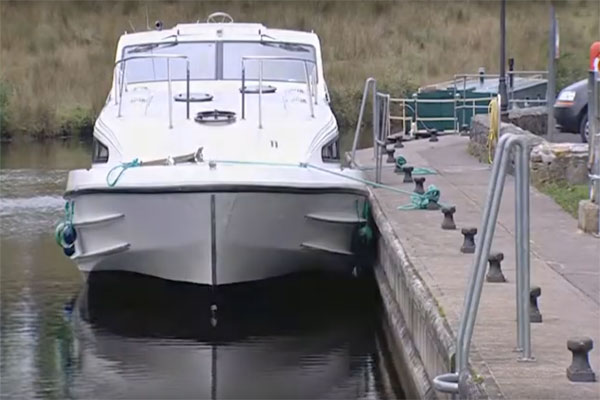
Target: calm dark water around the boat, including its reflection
(128, 337)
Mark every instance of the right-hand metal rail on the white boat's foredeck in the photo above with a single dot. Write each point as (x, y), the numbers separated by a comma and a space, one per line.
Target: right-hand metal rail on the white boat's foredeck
(311, 86)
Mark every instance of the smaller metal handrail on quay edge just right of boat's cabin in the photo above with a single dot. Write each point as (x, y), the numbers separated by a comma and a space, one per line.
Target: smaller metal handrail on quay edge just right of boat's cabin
(380, 102)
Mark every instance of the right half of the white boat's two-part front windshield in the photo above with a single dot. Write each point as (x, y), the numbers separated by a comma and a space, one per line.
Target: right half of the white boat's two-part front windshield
(273, 70)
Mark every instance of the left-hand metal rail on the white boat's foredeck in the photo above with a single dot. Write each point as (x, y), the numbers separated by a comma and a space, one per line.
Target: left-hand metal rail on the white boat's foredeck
(120, 81)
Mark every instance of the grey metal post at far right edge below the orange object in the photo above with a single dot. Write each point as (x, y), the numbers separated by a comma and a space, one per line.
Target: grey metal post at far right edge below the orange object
(594, 137)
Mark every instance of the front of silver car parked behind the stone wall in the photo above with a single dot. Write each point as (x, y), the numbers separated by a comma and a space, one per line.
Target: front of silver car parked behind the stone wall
(570, 109)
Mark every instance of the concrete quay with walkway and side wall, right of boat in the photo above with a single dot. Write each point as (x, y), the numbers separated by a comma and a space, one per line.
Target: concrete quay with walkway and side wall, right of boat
(422, 276)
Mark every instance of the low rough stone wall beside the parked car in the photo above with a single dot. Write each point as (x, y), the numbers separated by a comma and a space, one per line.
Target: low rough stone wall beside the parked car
(550, 162)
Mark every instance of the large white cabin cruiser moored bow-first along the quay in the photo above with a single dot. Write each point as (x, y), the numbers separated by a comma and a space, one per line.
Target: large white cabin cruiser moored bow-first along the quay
(194, 179)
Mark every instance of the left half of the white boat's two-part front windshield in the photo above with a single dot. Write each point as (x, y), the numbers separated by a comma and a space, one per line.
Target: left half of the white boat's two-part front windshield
(201, 55)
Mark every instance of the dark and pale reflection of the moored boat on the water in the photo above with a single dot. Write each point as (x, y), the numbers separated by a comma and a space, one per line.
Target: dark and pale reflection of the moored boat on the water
(141, 337)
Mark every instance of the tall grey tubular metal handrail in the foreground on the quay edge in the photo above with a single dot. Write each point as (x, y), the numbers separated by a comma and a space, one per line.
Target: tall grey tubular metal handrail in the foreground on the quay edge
(455, 382)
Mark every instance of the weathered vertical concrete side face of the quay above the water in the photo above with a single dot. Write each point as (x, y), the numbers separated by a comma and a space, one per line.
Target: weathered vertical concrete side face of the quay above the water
(423, 340)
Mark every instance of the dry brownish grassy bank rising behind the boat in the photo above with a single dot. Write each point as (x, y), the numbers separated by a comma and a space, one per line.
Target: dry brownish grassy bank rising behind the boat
(56, 56)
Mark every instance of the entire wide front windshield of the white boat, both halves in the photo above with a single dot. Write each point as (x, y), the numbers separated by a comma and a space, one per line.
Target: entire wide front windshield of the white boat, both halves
(204, 66)
